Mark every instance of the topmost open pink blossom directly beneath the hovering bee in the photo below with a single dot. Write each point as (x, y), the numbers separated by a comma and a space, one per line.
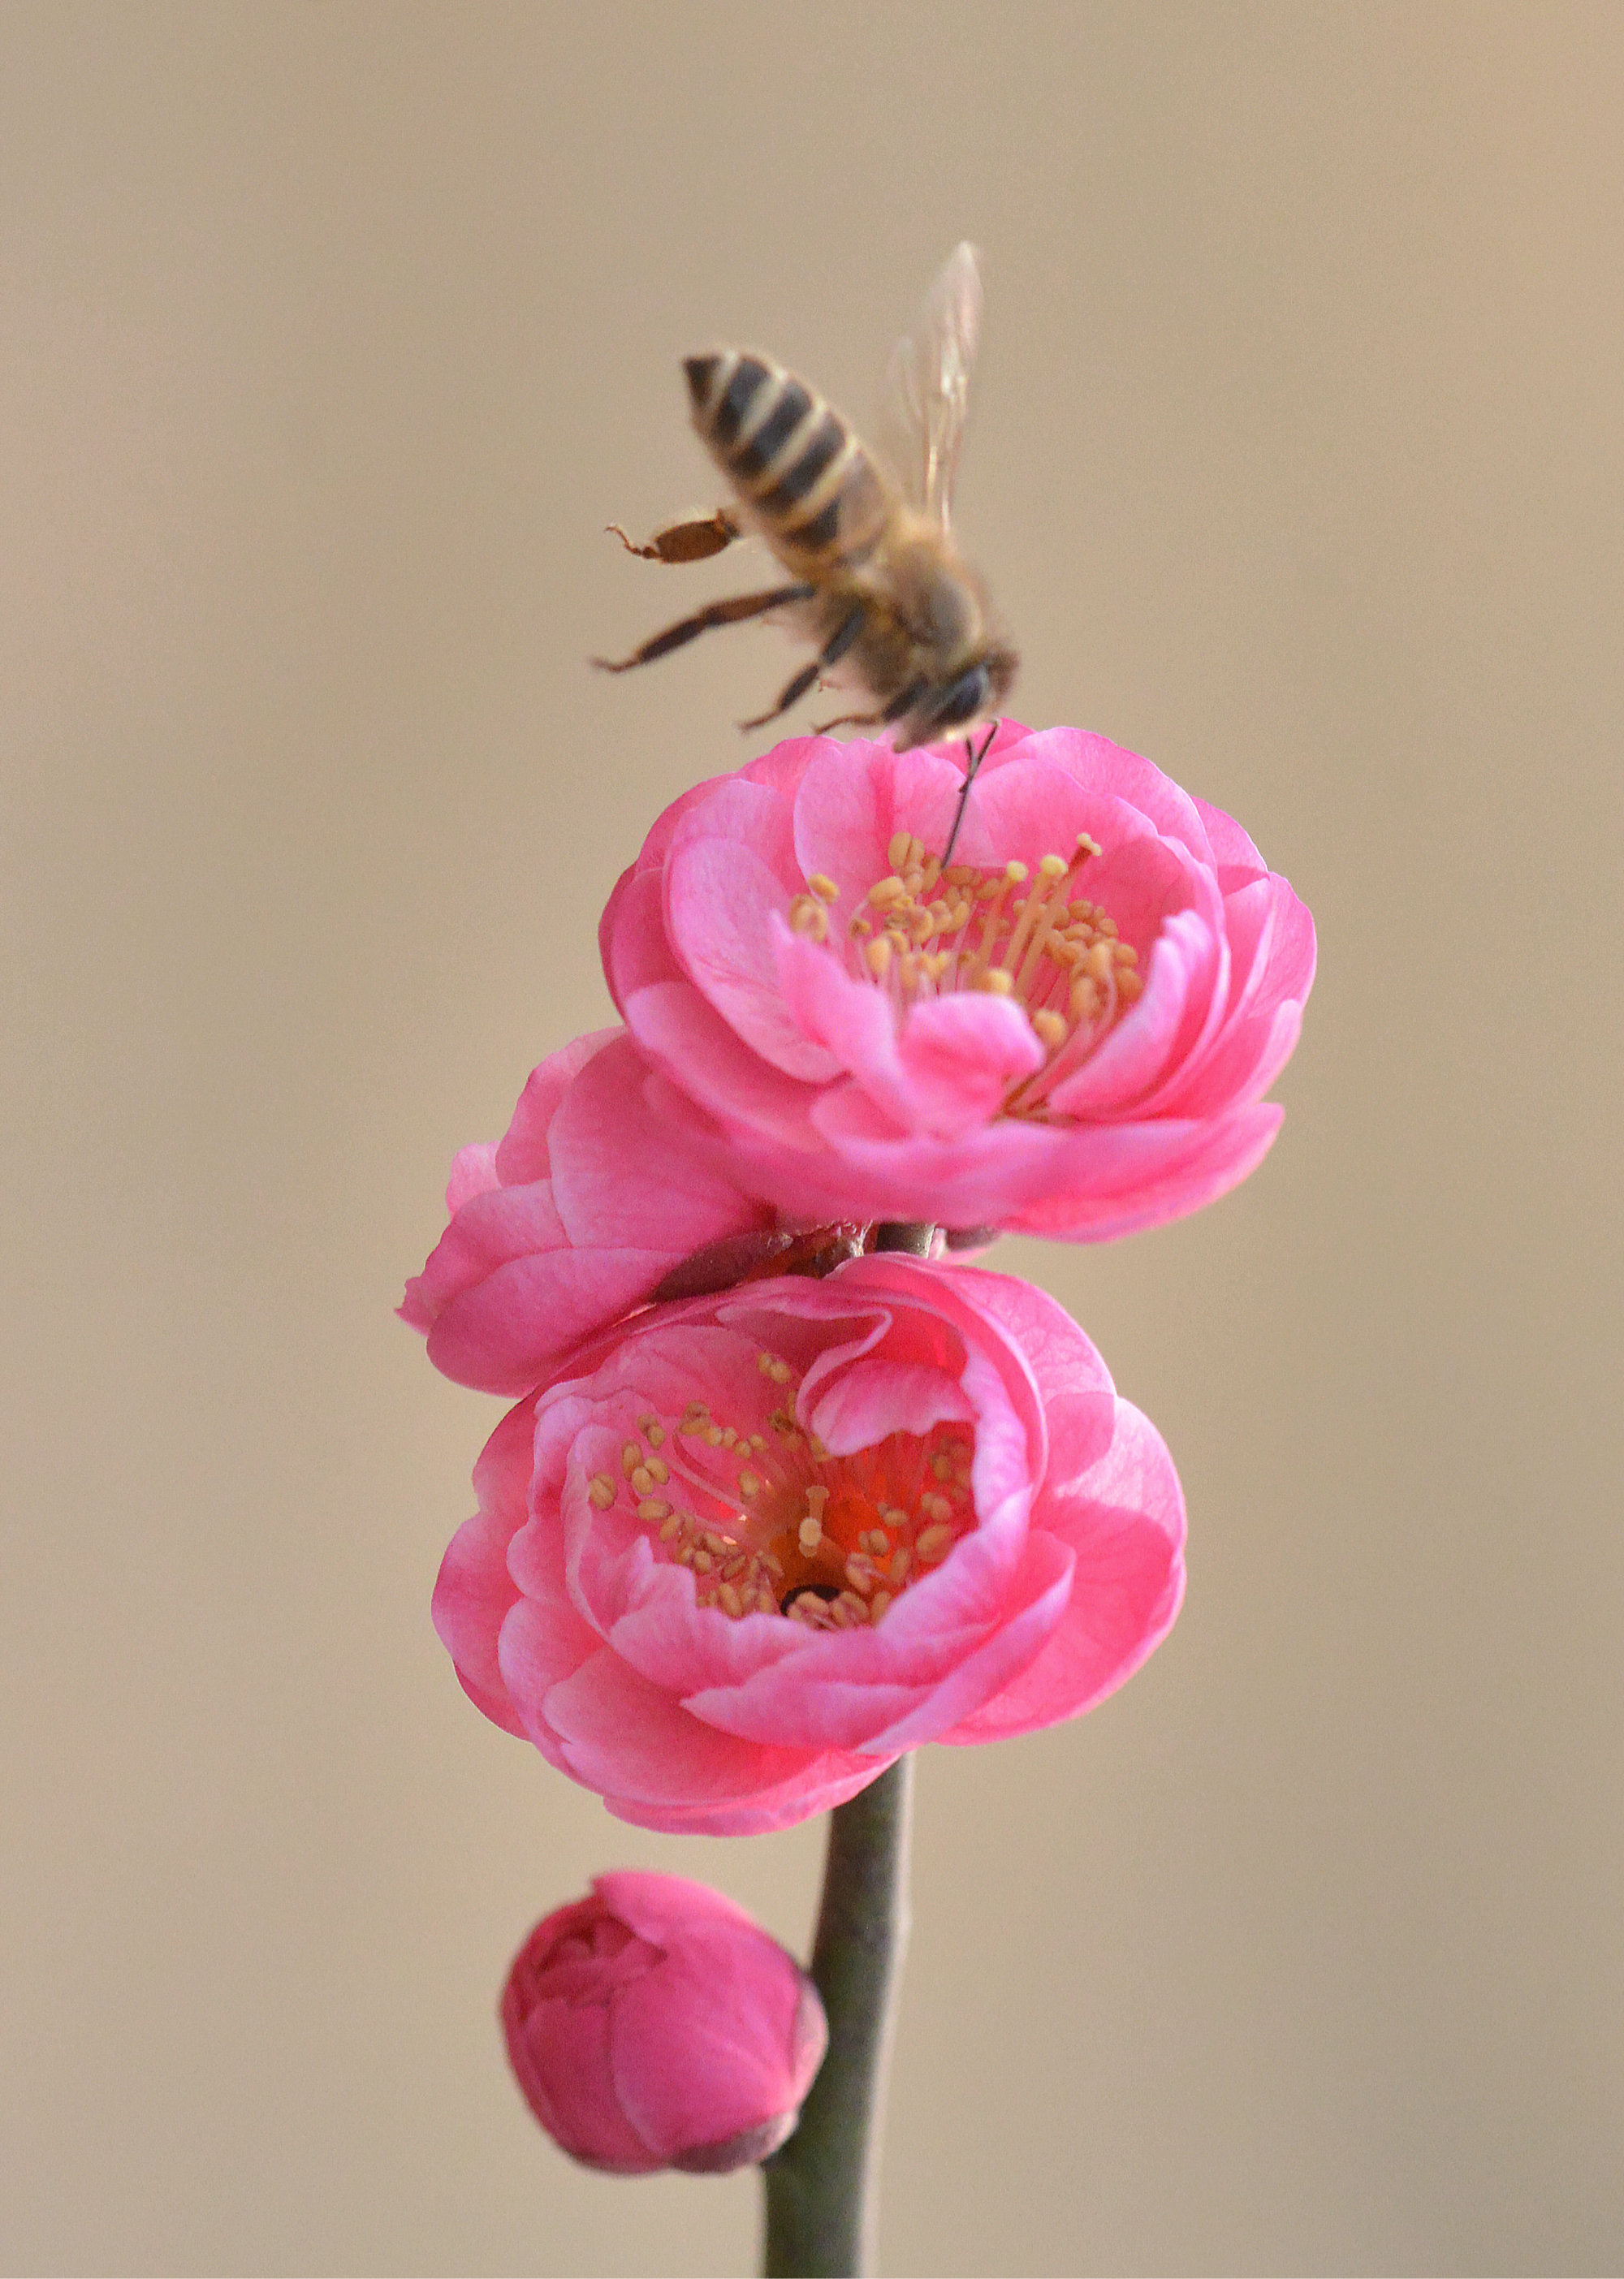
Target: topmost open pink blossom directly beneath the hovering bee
(1065, 1034)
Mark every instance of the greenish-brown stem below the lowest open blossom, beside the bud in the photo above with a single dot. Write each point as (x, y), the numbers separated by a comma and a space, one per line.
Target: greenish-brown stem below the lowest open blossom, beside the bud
(823, 2187)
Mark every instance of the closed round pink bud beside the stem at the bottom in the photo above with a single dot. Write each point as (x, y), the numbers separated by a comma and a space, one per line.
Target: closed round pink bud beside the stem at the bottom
(655, 2025)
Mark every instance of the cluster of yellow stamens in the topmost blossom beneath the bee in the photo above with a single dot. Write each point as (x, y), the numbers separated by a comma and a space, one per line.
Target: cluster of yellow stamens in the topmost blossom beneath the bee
(926, 933)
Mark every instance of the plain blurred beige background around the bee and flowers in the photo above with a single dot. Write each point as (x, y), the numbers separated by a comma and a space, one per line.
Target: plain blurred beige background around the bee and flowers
(329, 341)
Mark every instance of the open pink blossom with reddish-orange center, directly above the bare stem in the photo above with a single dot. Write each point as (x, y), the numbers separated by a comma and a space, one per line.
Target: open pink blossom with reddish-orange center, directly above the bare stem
(753, 1549)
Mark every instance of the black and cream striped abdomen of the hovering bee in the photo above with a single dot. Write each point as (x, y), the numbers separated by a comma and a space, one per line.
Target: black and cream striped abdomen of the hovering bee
(794, 461)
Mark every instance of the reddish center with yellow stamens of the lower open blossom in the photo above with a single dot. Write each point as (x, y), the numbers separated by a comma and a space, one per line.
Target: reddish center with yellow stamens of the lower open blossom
(771, 1524)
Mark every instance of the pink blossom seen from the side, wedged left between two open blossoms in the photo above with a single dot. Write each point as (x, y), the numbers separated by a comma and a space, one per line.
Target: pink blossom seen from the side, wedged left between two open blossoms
(568, 1223)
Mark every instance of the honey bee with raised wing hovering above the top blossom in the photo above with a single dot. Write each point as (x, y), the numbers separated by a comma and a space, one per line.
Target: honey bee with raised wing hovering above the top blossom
(873, 571)
